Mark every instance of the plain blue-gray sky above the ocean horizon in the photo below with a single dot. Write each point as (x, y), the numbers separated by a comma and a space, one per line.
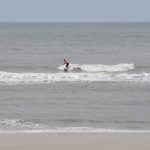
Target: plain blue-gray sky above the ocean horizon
(74, 10)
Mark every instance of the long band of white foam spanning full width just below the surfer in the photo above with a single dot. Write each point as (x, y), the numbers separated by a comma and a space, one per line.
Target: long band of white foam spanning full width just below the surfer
(47, 78)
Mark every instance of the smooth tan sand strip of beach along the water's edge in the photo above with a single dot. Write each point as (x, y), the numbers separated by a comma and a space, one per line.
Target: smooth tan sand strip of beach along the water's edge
(75, 141)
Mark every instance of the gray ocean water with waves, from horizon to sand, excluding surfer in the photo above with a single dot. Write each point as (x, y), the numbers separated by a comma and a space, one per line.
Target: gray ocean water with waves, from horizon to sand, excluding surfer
(105, 90)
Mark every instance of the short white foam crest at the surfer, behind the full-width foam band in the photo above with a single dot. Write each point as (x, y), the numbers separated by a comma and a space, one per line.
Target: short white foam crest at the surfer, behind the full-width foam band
(98, 67)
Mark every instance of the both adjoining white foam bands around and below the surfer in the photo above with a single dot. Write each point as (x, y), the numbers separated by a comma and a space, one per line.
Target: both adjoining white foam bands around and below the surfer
(87, 73)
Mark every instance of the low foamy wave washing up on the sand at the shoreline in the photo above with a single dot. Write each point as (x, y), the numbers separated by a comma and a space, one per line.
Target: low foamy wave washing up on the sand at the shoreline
(22, 126)
